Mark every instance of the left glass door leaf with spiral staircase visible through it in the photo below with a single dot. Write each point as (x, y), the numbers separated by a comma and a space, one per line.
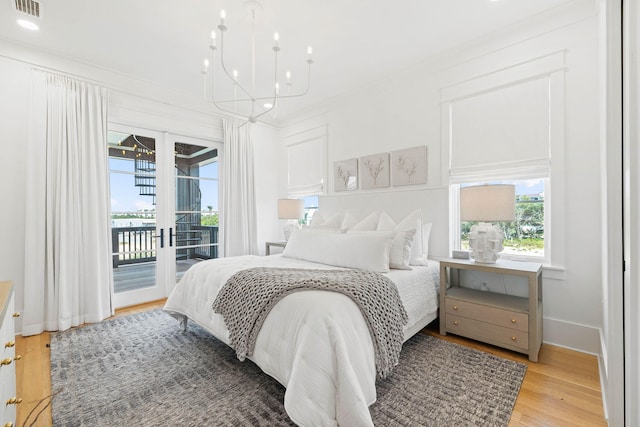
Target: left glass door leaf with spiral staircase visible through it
(132, 173)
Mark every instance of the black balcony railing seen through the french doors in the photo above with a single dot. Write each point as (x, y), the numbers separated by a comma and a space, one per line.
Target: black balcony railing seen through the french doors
(132, 245)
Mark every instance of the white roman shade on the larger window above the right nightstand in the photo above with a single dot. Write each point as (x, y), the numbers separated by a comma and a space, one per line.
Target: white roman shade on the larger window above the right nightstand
(505, 129)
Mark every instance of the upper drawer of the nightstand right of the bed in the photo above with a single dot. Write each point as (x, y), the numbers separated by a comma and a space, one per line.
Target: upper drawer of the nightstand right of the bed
(496, 316)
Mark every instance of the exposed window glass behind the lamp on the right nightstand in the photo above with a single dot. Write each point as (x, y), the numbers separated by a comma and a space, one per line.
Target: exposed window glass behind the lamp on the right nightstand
(524, 237)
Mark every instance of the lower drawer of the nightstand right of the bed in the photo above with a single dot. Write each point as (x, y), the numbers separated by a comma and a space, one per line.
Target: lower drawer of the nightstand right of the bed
(492, 334)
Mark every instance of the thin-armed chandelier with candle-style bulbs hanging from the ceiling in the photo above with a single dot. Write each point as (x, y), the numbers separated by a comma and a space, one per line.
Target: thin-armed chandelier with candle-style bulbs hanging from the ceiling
(244, 95)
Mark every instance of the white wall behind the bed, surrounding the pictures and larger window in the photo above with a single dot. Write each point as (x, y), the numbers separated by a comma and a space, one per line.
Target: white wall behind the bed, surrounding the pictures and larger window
(403, 110)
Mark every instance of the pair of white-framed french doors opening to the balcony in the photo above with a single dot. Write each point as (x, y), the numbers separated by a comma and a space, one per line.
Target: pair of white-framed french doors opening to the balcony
(164, 210)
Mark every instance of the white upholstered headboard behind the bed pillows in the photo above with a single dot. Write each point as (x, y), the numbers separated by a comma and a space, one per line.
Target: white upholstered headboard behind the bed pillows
(399, 203)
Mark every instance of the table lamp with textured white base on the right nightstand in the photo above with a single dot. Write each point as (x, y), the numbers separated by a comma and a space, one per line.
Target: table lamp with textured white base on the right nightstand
(487, 203)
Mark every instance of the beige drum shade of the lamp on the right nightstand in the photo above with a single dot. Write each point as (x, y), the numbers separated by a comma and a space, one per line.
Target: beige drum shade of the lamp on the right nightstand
(488, 203)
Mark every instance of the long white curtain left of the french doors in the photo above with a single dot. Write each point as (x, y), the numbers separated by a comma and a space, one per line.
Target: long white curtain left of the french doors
(68, 277)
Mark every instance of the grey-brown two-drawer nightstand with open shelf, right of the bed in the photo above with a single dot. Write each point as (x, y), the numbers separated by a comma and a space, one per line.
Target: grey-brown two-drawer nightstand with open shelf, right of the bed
(508, 321)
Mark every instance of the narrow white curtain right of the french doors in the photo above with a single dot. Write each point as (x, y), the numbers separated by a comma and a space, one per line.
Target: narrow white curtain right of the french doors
(238, 215)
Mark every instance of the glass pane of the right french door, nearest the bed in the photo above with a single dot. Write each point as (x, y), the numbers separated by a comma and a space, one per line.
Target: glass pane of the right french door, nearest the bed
(196, 212)
